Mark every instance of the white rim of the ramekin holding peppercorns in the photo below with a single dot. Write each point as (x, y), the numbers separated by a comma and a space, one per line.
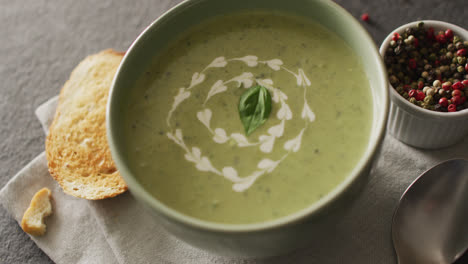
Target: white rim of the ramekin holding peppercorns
(397, 98)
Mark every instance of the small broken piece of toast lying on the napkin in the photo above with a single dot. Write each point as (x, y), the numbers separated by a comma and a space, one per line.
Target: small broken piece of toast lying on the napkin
(33, 218)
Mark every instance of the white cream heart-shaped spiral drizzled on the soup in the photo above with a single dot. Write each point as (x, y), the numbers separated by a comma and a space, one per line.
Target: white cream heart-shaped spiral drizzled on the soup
(219, 135)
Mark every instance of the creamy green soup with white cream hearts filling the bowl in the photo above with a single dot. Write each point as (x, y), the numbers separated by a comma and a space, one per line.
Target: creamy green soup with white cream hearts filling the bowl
(187, 146)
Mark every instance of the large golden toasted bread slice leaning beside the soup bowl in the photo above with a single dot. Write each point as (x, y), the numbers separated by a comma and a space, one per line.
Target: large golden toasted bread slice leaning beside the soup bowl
(77, 152)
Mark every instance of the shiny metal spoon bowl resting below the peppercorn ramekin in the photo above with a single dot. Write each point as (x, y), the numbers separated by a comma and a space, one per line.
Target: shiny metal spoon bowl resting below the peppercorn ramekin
(430, 225)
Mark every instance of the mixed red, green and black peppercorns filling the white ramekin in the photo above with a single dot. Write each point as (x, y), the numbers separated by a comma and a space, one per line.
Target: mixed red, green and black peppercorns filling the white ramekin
(428, 68)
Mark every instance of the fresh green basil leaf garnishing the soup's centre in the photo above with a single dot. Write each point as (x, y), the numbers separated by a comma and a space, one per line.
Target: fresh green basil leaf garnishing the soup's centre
(254, 107)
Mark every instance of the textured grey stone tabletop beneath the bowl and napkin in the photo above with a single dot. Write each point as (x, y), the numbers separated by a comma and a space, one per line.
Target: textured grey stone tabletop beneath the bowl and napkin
(43, 40)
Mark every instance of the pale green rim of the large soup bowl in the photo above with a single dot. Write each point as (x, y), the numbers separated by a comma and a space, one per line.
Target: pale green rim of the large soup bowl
(364, 162)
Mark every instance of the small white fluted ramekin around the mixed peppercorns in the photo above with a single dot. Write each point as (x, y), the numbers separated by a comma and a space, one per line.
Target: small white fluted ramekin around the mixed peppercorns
(417, 126)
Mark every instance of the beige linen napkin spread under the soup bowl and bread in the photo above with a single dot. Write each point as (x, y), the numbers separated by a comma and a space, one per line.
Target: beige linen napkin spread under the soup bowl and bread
(119, 230)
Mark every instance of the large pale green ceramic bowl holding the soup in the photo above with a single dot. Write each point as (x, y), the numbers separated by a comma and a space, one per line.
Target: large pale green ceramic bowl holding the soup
(276, 236)
